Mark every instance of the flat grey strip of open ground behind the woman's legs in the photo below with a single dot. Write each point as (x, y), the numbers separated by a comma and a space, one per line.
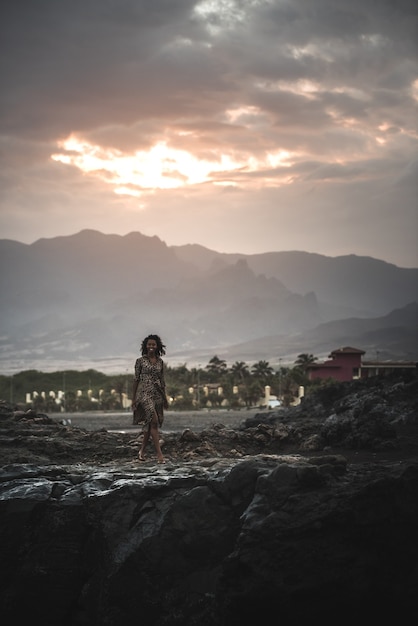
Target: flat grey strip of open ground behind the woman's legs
(174, 420)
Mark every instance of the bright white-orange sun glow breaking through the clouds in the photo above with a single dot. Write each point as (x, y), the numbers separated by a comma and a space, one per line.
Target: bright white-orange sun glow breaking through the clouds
(160, 167)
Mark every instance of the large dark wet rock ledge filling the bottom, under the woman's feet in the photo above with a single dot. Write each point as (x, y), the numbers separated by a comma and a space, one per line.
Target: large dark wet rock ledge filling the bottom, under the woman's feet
(217, 545)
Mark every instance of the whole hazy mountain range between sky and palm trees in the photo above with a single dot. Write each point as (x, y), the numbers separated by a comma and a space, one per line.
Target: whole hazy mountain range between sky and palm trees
(88, 299)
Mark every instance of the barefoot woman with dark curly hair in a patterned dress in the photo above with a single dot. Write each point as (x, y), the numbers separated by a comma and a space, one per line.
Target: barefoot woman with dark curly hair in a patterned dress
(148, 393)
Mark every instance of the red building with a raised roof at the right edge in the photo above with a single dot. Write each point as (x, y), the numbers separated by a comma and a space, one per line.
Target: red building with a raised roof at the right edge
(346, 364)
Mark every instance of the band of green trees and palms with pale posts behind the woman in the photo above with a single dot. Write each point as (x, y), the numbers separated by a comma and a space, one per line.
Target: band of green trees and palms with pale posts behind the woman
(215, 385)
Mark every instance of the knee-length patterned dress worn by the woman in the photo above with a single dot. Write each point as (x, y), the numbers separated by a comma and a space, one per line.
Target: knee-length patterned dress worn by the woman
(150, 395)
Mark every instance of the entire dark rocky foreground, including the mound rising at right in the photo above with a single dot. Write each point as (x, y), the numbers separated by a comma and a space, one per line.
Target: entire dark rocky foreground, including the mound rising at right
(303, 513)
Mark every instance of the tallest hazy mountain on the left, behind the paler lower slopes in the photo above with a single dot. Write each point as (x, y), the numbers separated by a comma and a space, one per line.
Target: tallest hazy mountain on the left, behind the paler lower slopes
(80, 274)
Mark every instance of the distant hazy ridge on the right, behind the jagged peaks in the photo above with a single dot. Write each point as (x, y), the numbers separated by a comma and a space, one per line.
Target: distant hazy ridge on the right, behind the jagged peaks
(360, 285)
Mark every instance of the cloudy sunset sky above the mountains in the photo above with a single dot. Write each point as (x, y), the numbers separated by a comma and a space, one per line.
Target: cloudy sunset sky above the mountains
(244, 126)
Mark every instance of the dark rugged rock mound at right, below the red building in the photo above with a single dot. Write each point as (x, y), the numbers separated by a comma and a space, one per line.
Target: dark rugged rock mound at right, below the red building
(372, 414)
